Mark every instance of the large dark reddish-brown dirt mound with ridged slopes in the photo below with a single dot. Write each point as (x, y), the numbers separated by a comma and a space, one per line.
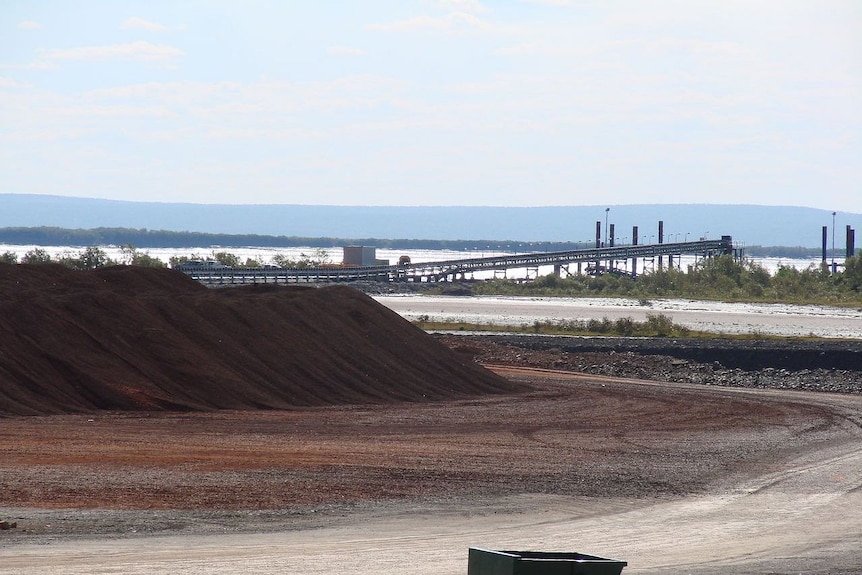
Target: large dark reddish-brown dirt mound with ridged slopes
(128, 338)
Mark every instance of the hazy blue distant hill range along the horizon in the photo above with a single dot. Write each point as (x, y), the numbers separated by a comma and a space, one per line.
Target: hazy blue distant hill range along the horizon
(748, 224)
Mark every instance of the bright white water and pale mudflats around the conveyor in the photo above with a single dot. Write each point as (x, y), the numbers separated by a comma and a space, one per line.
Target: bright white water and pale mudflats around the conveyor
(716, 317)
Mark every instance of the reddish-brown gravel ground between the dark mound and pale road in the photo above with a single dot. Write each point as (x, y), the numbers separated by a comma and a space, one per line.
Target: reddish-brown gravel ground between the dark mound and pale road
(569, 435)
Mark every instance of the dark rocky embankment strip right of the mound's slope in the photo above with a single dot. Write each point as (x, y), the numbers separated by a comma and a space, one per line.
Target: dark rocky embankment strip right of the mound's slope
(816, 365)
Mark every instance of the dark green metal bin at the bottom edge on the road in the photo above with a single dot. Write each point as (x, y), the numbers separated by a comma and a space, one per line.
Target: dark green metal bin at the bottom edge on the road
(488, 562)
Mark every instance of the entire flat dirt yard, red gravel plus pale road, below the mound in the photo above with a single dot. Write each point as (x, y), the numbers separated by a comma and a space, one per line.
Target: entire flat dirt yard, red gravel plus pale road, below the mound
(671, 478)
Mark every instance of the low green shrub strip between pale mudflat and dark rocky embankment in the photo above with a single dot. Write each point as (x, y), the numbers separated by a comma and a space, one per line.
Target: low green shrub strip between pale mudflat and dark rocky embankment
(655, 325)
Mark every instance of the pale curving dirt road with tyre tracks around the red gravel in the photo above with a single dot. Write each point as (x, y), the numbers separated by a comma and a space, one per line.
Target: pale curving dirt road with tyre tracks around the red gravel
(796, 515)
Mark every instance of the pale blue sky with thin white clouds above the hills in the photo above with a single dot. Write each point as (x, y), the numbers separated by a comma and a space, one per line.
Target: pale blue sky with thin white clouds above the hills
(434, 102)
